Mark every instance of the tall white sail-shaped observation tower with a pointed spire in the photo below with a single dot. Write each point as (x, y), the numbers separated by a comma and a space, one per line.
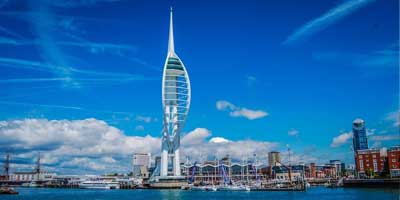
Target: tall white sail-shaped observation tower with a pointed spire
(175, 102)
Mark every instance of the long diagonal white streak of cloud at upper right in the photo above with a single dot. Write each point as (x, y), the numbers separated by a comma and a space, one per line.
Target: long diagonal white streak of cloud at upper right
(327, 19)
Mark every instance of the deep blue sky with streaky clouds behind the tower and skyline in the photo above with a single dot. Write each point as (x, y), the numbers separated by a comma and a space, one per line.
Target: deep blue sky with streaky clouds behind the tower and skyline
(268, 72)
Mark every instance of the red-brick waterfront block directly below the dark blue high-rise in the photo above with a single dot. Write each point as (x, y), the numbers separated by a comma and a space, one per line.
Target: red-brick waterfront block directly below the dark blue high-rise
(369, 161)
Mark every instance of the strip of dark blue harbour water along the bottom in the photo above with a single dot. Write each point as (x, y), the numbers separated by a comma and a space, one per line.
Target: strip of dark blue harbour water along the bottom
(319, 193)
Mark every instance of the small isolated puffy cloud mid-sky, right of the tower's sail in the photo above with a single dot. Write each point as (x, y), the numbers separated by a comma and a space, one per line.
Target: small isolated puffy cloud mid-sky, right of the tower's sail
(235, 111)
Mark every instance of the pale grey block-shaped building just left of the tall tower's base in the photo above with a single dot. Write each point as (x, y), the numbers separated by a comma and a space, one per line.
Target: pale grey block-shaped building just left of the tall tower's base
(141, 164)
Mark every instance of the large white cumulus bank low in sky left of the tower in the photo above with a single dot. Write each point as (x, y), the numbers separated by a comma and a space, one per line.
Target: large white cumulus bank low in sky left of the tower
(69, 143)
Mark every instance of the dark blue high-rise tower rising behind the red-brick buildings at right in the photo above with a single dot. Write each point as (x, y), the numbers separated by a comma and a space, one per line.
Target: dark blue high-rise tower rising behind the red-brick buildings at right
(360, 141)
